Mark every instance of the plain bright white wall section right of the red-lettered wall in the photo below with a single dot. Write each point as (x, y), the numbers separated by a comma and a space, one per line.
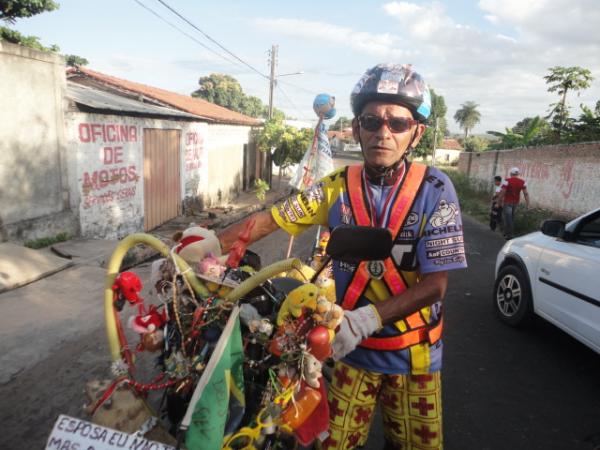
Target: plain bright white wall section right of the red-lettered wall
(225, 162)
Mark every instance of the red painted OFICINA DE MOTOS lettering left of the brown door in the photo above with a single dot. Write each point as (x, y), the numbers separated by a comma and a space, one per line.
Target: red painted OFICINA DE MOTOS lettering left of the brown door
(116, 179)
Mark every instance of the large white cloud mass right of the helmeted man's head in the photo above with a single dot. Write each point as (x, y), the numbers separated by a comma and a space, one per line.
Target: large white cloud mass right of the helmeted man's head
(502, 71)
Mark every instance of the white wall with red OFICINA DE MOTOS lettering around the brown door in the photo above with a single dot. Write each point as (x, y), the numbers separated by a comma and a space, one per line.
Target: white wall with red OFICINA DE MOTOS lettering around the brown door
(106, 165)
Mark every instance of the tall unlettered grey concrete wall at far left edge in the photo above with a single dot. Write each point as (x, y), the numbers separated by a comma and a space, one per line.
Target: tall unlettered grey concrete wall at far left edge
(33, 178)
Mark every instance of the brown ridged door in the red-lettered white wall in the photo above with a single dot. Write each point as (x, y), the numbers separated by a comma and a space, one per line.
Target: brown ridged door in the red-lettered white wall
(162, 192)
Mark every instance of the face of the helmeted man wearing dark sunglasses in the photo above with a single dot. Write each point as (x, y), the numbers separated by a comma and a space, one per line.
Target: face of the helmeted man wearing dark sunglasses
(383, 147)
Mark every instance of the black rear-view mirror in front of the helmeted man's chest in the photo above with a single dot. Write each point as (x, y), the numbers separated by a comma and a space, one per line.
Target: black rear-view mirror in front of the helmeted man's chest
(353, 244)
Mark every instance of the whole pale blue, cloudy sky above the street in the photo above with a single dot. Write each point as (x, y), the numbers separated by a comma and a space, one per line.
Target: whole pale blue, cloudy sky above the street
(492, 52)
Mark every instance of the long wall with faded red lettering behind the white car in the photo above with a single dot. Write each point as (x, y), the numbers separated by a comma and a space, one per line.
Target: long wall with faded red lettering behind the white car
(562, 178)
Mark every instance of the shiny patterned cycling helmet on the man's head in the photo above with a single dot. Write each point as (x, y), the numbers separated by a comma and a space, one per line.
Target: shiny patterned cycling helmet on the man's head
(394, 83)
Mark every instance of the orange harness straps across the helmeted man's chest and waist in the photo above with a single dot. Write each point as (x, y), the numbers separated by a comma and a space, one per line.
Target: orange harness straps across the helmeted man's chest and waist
(418, 329)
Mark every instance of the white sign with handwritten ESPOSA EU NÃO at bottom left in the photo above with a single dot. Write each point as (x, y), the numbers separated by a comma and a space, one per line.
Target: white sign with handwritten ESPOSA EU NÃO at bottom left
(76, 434)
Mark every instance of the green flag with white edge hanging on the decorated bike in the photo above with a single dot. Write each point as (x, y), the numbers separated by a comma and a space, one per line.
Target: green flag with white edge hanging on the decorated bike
(217, 405)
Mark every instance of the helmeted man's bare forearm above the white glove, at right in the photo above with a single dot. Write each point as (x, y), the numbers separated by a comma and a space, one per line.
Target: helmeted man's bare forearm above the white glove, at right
(430, 289)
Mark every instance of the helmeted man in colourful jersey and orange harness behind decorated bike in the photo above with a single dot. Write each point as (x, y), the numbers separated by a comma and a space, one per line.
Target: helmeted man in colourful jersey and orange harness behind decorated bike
(388, 347)
